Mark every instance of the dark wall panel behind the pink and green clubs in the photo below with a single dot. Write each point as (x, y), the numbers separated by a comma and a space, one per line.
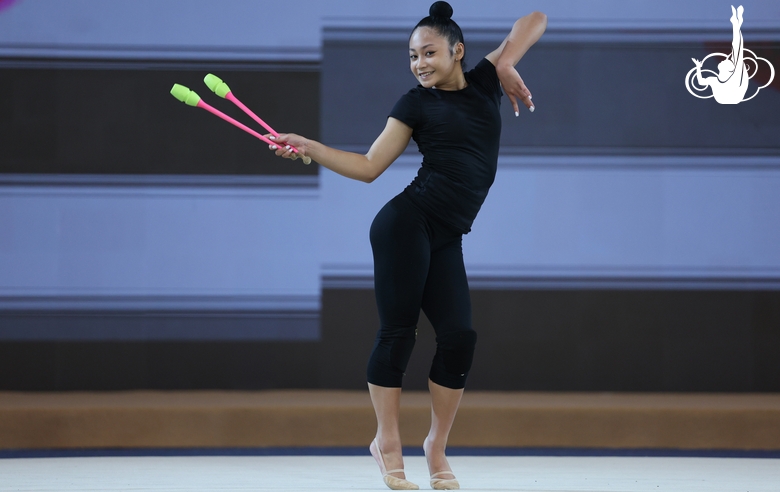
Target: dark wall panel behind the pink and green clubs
(124, 121)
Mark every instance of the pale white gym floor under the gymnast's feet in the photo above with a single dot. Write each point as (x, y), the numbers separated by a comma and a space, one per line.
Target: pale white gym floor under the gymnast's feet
(324, 473)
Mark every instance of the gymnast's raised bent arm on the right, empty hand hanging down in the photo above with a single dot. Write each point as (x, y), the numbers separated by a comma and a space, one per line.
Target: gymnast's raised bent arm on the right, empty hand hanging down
(525, 32)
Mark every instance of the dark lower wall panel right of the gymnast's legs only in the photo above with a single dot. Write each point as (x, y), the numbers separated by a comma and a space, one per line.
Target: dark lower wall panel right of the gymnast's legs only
(628, 340)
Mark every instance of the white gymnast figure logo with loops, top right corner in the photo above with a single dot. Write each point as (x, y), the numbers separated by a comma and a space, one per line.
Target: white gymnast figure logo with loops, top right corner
(730, 84)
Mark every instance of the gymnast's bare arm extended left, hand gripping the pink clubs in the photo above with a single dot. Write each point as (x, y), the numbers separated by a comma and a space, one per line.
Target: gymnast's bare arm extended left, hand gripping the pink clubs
(384, 151)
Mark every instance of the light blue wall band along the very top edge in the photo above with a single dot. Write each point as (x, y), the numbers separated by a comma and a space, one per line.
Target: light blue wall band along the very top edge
(245, 29)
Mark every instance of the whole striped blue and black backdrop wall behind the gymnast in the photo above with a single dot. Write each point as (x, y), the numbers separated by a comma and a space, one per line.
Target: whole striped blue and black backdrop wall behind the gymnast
(649, 217)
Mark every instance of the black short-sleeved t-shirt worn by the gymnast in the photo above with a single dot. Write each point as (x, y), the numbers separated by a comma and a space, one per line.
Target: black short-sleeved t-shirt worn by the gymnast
(458, 133)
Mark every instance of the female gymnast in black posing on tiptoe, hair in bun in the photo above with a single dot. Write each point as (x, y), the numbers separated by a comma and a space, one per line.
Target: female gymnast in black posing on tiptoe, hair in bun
(416, 237)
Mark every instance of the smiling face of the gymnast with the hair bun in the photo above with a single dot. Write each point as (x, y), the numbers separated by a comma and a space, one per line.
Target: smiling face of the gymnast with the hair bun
(433, 62)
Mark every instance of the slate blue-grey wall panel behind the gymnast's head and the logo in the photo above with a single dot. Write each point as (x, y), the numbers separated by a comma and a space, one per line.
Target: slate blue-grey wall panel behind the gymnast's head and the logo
(591, 97)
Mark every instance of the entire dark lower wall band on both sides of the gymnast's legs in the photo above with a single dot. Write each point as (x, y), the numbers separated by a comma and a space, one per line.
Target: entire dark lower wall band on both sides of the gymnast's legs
(551, 340)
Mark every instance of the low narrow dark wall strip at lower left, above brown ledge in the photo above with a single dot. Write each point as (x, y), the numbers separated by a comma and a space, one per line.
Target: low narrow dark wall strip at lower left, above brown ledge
(110, 366)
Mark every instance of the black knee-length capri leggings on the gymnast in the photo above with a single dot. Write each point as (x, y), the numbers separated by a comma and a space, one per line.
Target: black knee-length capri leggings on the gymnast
(418, 264)
